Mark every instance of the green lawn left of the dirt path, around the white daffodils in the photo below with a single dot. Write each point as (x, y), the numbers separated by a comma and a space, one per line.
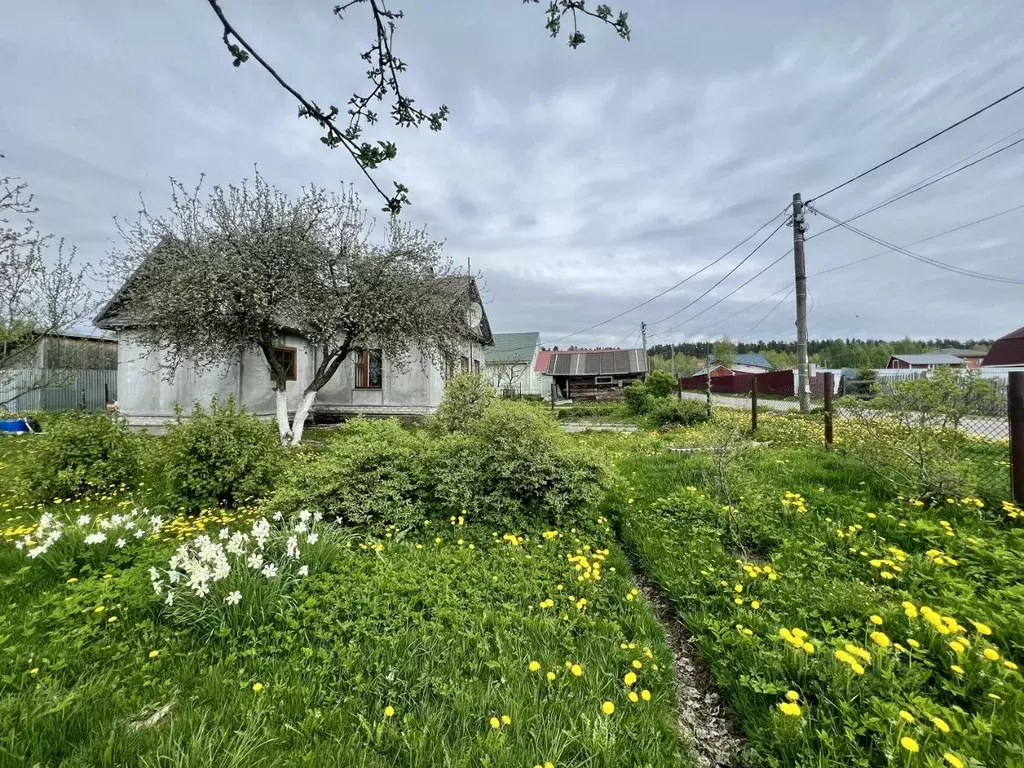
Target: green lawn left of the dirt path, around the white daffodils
(416, 649)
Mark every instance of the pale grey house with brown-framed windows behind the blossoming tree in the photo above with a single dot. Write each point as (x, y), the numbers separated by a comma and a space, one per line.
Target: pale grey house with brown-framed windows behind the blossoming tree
(367, 382)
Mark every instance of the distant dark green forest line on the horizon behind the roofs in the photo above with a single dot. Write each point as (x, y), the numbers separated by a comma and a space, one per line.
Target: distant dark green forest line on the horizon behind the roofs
(825, 353)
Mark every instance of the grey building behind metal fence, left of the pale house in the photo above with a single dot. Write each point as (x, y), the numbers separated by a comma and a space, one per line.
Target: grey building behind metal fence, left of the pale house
(63, 371)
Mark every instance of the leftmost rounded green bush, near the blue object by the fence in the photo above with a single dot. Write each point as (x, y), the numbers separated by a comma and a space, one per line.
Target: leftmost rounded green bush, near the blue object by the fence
(77, 454)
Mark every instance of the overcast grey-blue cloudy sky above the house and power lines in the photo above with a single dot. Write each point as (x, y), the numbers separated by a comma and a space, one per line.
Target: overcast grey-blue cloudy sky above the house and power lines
(579, 183)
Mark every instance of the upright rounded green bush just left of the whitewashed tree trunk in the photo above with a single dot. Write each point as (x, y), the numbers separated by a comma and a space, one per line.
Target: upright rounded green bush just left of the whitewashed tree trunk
(223, 456)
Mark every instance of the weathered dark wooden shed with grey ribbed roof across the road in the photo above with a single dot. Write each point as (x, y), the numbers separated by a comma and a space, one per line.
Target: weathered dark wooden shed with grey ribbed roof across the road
(595, 374)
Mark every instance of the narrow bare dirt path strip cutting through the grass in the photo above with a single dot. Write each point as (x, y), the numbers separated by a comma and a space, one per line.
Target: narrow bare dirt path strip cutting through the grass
(703, 720)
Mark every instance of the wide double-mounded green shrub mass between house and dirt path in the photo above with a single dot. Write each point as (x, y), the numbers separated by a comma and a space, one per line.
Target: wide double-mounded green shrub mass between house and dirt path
(509, 466)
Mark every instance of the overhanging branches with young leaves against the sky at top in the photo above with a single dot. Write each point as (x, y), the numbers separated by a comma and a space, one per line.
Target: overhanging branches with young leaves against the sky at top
(385, 76)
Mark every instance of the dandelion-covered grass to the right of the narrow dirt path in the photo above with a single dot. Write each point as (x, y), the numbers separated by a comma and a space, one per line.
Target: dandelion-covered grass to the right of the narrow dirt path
(897, 628)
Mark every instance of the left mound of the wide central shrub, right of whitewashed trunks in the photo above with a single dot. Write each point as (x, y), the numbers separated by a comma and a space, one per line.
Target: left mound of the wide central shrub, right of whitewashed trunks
(373, 473)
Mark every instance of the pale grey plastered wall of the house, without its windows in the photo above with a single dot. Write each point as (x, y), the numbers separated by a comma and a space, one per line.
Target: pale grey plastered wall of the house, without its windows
(149, 400)
